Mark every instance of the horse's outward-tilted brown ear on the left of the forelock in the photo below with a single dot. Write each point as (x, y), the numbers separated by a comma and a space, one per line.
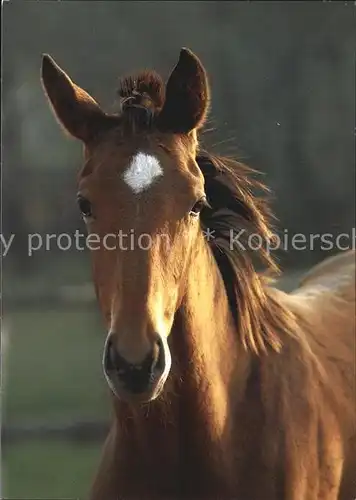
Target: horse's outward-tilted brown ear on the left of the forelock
(75, 109)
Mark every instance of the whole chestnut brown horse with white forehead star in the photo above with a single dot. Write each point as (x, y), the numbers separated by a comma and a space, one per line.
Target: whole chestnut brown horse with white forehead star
(223, 386)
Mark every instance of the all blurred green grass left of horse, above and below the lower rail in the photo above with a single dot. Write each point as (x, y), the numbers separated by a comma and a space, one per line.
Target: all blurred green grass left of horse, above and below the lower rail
(53, 375)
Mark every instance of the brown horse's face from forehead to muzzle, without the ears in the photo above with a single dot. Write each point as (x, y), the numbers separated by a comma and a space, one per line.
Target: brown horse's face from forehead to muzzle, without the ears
(143, 201)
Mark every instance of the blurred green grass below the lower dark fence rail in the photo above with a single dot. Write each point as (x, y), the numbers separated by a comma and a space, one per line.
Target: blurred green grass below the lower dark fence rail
(49, 470)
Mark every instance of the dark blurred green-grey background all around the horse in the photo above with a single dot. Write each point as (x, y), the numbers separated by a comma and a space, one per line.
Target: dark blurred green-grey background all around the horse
(283, 101)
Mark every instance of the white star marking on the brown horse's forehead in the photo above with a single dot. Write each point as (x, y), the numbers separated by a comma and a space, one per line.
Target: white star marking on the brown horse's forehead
(144, 169)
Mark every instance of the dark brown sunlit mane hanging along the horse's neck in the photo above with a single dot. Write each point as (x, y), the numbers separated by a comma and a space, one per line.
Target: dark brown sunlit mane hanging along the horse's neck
(234, 207)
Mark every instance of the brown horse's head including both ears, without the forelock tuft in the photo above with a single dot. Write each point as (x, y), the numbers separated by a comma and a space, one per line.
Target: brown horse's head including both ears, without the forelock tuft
(140, 193)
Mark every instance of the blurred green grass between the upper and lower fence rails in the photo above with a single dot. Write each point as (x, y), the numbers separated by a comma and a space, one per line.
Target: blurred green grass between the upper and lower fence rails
(54, 367)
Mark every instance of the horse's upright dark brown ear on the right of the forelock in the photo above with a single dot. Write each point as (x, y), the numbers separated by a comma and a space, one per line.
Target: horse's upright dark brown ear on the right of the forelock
(187, 96)
